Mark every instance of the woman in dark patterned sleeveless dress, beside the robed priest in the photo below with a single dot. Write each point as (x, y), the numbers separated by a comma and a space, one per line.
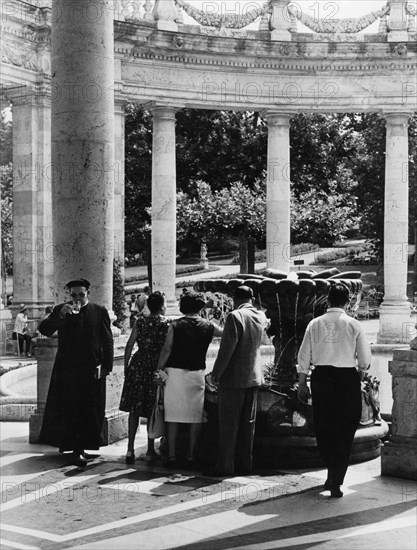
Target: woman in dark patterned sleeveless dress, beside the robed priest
(139, 389)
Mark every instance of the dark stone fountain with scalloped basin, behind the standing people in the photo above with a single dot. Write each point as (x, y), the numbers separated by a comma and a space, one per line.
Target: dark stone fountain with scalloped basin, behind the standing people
(284, 426)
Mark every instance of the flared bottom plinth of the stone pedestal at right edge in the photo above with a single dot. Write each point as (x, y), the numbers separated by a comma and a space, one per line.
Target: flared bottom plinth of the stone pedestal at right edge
(398, 458)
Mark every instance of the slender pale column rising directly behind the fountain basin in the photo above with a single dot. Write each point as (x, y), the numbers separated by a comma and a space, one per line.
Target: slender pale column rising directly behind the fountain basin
(278, 199)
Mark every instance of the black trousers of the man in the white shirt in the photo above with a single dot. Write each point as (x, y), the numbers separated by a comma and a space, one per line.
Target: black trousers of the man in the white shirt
(337, 408)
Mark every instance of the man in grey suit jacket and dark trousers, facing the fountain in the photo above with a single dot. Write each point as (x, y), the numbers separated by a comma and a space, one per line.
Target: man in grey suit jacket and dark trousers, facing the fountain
(238, 374)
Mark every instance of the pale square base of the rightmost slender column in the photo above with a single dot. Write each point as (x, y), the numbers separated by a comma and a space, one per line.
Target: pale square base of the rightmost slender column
(396, 325)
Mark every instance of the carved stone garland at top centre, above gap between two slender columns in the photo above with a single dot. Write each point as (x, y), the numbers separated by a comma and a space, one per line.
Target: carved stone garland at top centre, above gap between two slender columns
(229, 20)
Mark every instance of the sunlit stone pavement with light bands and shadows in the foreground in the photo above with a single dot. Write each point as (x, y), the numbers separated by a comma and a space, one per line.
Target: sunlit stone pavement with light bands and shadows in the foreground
(49, 504)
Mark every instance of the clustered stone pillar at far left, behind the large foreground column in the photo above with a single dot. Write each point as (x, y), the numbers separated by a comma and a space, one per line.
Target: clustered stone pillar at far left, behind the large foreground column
(32, 208)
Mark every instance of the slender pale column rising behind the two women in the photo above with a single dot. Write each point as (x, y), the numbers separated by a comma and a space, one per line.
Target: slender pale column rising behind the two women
(164, 234)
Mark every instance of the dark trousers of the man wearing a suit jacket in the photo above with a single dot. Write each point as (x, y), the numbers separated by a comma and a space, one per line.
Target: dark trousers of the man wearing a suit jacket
(237, 416)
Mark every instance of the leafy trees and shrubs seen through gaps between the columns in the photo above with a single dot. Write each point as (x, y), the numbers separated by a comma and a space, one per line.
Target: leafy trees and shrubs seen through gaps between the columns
(339, 156)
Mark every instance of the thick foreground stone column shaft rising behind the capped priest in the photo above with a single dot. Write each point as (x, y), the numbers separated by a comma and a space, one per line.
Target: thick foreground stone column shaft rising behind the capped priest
(83, 144)
